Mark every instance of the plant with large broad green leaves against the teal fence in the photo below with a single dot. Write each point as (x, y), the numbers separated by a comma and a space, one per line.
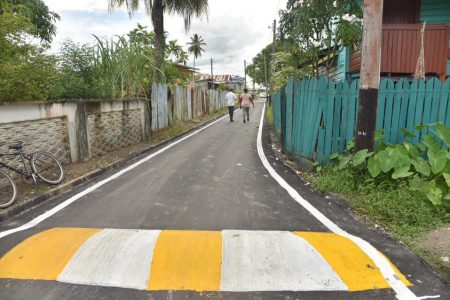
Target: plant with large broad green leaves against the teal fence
(426, 165)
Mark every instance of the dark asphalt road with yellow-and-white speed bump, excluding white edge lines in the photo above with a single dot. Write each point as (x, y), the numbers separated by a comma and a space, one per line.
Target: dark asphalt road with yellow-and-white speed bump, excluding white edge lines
(203, 219)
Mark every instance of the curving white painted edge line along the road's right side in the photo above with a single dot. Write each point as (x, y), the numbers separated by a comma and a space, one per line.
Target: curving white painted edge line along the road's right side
(401, 290)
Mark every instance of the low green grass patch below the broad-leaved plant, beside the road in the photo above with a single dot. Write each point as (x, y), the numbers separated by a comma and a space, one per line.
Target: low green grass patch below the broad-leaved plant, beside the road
(390, 204)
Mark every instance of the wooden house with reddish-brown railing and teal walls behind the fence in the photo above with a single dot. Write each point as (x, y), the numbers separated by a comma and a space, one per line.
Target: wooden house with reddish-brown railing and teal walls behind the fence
(401, 42)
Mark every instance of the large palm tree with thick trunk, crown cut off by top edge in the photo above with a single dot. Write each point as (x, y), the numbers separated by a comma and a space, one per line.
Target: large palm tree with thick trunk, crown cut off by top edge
(156, 8)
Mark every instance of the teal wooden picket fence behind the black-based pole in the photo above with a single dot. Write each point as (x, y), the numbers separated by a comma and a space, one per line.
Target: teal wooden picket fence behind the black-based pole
(317, 117)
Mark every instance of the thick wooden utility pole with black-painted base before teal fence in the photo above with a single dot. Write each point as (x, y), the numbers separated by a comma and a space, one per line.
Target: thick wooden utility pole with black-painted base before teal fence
(370, 74)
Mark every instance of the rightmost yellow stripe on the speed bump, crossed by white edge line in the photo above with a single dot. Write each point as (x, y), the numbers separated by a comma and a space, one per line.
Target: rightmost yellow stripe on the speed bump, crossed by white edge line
(352, 265)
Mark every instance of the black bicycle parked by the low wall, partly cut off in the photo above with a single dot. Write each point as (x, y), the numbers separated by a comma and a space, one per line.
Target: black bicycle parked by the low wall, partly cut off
(41, 165)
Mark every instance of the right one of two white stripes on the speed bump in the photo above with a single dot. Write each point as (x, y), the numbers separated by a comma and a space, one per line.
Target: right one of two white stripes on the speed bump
(274, 261)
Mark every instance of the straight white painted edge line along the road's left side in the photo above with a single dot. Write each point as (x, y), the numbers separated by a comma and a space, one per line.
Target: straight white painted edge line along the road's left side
(74, 198)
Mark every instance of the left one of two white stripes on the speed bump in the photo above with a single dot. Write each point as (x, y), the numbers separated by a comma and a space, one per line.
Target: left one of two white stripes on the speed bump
(113, 257)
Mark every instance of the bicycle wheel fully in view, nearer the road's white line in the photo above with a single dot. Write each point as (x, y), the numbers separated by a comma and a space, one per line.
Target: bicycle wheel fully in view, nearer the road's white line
(47, 167)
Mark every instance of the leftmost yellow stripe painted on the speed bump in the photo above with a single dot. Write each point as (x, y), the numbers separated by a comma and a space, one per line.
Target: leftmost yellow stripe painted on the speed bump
(44, 255)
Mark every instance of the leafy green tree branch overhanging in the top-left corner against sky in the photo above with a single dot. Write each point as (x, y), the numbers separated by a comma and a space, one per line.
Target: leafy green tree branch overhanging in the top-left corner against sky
(39, 15)
